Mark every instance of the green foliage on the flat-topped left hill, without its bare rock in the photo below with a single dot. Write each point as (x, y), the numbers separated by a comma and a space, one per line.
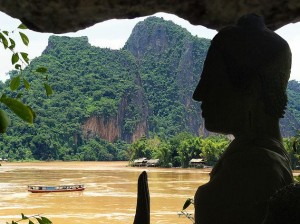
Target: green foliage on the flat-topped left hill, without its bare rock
(87, 81)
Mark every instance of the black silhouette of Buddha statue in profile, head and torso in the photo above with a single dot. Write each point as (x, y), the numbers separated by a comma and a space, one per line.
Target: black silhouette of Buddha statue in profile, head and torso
(242, 91)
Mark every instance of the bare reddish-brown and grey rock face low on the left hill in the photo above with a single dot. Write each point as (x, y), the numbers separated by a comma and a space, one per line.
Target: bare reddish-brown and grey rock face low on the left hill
(122, 125)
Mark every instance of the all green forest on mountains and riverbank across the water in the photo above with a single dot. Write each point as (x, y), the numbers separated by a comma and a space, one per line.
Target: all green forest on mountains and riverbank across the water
(123, 104)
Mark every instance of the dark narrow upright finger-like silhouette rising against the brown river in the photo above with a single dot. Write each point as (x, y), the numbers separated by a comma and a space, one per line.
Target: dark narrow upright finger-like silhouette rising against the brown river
(142, 215)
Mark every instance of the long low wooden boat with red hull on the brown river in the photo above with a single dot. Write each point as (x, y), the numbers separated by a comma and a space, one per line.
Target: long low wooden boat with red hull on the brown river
(60, 188)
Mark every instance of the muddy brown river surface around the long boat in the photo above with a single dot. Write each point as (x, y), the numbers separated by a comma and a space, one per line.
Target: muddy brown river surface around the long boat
(109, 197)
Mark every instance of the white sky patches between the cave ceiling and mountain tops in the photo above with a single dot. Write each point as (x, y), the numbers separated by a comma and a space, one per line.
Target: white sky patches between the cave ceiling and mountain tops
(114, 33)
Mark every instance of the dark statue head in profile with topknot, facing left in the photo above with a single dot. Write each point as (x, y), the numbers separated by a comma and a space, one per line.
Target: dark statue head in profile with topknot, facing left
(245, 75)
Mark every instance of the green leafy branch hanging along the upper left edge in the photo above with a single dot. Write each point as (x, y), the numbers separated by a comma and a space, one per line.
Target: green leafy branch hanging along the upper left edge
(19, 60)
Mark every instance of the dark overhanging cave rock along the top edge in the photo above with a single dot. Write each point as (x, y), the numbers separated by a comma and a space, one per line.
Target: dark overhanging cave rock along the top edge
(61, 16)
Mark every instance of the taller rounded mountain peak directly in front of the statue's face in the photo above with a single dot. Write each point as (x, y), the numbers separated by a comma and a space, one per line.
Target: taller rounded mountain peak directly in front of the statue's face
(170, 61)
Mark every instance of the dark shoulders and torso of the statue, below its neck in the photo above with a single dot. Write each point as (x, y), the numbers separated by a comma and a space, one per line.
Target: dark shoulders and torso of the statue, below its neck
(247, 174)
